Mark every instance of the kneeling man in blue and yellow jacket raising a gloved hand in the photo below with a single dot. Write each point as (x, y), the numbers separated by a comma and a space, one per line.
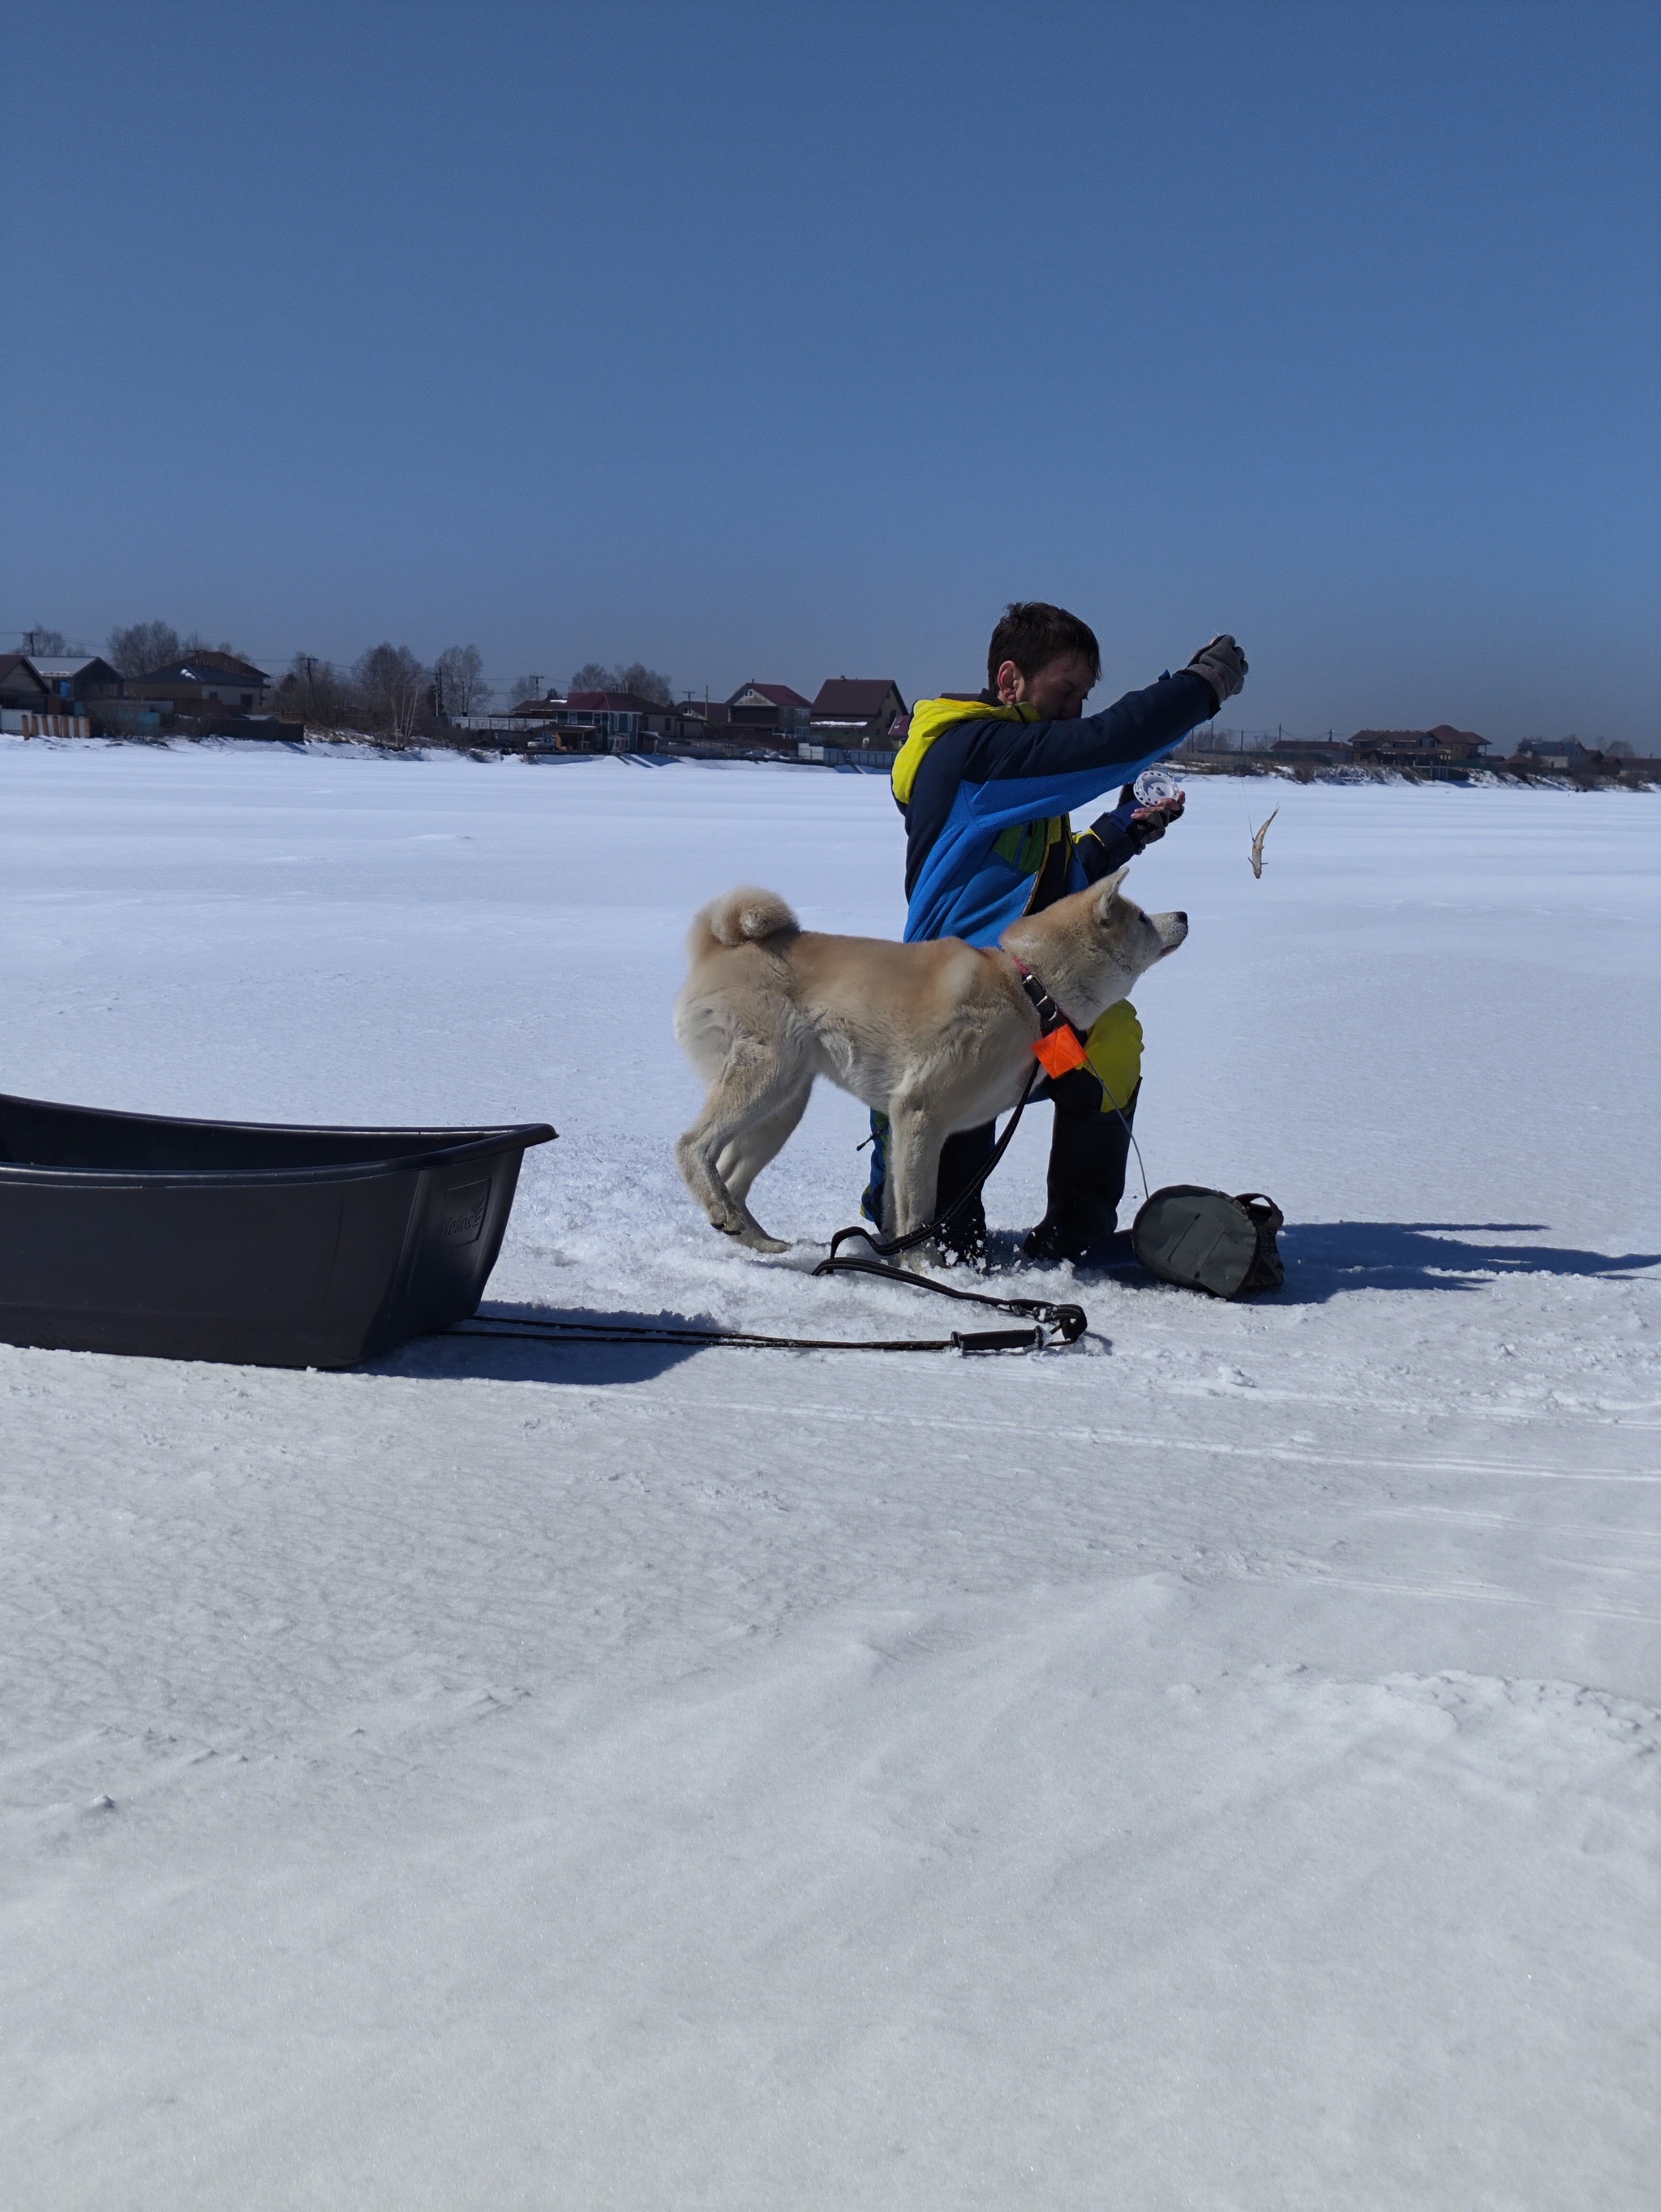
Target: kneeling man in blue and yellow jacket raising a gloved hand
(985, 784)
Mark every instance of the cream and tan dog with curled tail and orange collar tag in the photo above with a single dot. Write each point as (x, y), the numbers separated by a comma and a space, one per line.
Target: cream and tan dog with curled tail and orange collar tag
(934, 1036)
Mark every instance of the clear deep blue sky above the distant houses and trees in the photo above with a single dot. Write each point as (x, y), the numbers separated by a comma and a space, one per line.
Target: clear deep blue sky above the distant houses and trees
(793, 342)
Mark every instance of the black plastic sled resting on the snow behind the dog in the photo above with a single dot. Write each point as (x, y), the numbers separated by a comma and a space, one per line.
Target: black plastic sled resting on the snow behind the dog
(240, 1242)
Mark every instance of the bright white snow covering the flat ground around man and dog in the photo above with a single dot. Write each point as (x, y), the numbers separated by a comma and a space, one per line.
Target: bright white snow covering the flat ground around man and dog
(1209, 1768)
